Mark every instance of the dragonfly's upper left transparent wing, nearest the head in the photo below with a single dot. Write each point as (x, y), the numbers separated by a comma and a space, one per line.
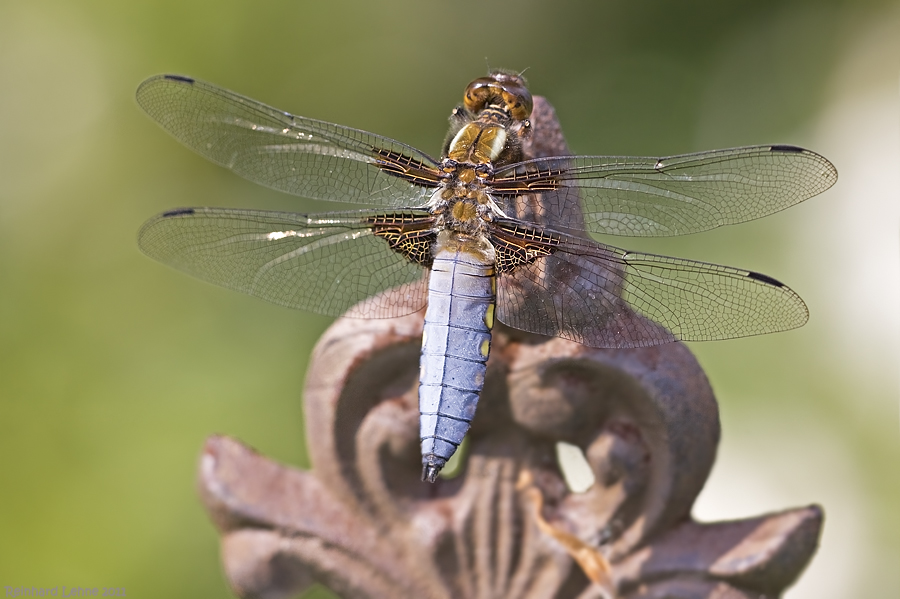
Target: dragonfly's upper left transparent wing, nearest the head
(301, 156)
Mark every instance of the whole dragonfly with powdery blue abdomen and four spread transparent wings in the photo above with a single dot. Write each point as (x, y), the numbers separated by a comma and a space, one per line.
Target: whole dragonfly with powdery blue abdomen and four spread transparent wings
(485, 233)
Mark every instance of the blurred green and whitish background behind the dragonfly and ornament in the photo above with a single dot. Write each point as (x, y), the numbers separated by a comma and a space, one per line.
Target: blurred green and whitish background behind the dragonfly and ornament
(113, 368)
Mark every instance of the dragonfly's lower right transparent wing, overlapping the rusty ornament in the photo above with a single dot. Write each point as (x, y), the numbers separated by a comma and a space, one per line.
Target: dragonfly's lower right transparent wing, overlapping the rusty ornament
(602, 296)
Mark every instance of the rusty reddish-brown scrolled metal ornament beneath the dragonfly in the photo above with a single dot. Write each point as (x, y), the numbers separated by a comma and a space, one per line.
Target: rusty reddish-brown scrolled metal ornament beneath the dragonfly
(363, 524)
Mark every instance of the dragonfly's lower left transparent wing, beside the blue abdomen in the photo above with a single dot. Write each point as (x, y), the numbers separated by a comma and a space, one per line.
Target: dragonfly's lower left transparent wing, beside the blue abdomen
(323, 263)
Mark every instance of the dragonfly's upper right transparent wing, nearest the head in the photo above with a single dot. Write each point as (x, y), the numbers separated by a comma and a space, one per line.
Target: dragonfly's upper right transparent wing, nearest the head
(670, 196)
